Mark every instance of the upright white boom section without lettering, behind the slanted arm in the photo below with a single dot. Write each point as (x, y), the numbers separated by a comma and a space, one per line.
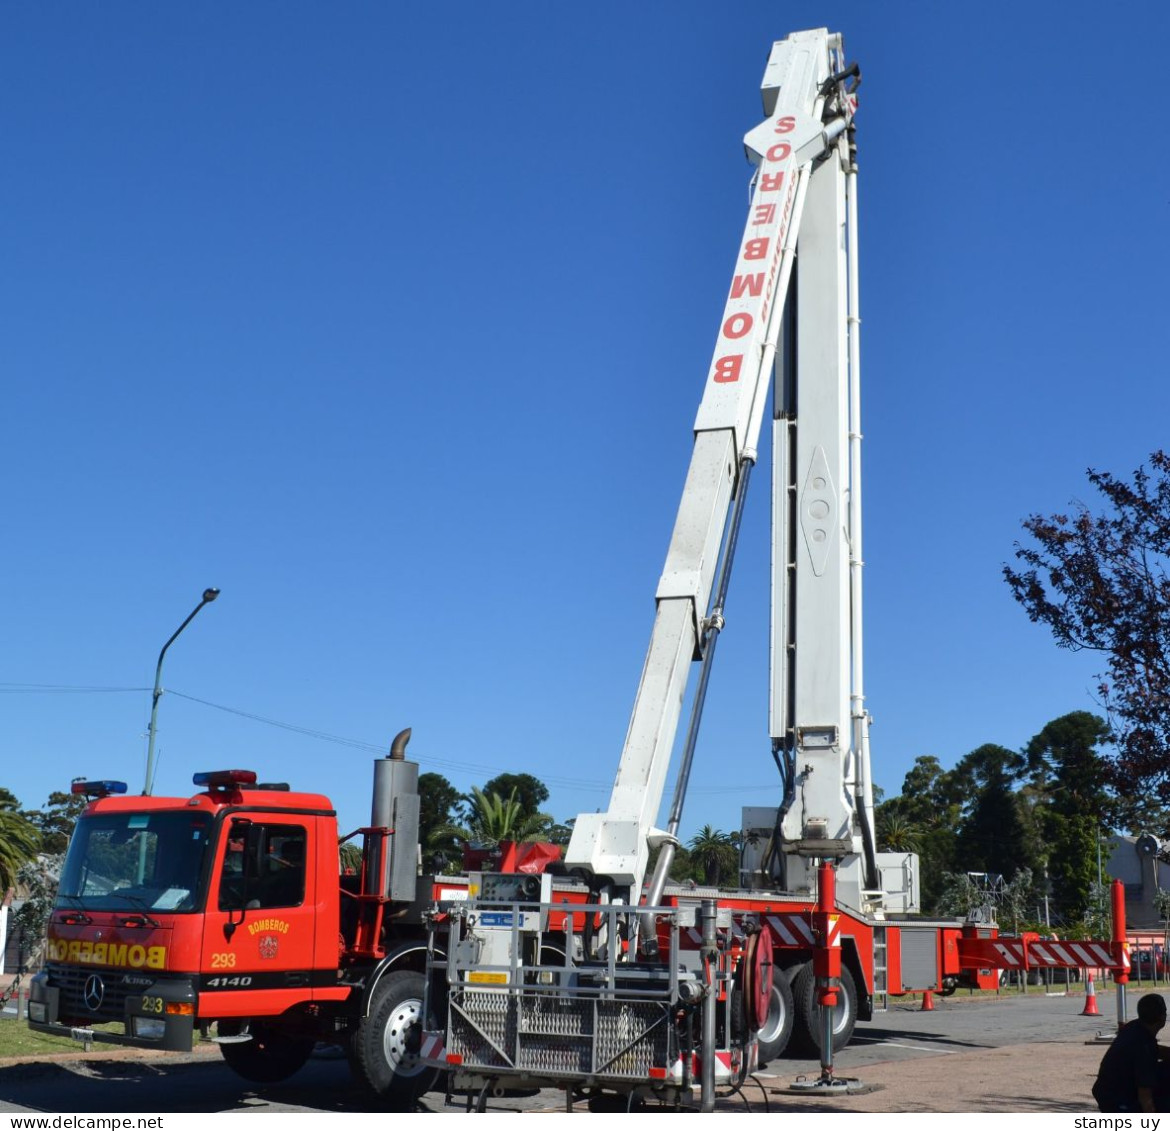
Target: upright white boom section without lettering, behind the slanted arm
(818, 721)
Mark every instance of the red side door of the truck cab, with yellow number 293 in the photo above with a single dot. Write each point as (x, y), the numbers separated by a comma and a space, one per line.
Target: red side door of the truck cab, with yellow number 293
(259, 933)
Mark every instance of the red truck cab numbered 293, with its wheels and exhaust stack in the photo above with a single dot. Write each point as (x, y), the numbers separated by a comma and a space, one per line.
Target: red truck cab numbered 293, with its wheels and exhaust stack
(224, 916)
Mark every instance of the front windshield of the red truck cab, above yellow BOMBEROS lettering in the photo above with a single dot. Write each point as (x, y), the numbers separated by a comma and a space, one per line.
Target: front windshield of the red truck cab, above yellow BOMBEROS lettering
(127, 861)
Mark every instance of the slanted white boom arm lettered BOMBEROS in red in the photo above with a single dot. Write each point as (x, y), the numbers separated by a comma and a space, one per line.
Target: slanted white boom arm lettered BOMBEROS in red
(616, 844)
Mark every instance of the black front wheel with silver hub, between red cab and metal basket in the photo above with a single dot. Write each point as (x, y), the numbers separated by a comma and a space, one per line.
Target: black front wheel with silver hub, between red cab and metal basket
(384, 1051)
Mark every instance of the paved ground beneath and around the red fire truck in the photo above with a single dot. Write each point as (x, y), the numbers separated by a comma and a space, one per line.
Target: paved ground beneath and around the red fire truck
(1009, 1054)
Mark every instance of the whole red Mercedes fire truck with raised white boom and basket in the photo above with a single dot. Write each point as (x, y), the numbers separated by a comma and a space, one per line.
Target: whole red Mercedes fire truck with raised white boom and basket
(223, 915)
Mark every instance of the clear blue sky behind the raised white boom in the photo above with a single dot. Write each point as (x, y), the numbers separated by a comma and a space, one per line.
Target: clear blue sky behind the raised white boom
(393, 320)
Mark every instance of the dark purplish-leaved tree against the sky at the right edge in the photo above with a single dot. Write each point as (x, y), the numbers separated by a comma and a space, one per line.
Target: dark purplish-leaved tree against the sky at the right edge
(1100, 583)
